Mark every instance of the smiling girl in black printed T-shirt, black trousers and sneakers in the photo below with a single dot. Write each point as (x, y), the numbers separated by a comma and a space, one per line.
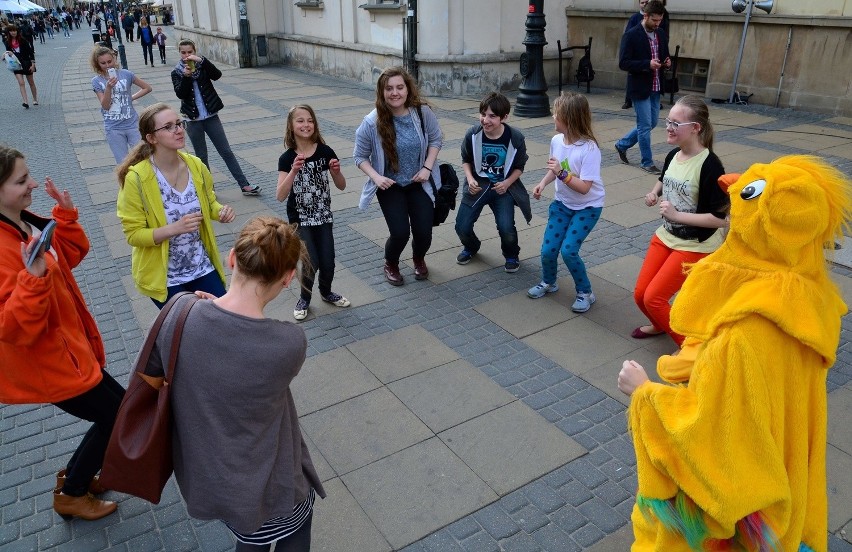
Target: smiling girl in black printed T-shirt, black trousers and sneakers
(303, 180)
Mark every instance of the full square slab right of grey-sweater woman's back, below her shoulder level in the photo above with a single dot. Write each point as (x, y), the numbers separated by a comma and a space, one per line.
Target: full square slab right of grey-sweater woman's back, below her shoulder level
(363, 429)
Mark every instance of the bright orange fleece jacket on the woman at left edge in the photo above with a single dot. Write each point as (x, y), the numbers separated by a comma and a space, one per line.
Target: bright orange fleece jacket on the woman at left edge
(50, 347)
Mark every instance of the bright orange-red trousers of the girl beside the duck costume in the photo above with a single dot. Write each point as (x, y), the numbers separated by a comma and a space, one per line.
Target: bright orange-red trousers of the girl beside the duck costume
(659, 279)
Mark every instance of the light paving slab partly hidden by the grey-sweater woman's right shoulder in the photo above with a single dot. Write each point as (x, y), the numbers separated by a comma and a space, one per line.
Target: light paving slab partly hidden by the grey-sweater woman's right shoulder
(330, 378)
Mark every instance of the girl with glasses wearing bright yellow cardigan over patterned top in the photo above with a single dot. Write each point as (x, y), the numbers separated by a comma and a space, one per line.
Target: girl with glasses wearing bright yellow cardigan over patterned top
(166, 204)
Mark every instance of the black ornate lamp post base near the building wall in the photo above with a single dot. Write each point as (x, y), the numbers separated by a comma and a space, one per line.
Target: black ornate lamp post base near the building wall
(532, 100)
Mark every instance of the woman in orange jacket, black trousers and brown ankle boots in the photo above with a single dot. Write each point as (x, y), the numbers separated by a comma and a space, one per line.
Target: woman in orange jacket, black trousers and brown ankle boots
(50, 348)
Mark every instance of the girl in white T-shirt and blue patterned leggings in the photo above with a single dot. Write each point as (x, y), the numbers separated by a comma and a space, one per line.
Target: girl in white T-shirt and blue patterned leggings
(575, 163)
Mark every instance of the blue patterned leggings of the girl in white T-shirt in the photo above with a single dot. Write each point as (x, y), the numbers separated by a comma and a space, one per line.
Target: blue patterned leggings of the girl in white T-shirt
(565, 232)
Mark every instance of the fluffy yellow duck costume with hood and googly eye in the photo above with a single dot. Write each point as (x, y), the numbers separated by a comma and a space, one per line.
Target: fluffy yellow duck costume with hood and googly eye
(735, 459)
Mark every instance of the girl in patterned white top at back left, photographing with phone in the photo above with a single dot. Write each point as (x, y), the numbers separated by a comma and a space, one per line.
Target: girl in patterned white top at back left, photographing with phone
(112, 86)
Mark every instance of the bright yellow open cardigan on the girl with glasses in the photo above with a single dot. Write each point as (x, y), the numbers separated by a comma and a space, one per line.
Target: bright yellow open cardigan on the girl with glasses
(140, 208)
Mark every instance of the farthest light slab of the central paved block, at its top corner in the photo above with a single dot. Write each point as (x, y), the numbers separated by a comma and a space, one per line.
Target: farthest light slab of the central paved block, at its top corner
(402, 353)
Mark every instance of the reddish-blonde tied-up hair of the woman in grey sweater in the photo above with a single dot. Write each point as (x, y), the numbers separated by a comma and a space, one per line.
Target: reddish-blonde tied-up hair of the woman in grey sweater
(267, 249)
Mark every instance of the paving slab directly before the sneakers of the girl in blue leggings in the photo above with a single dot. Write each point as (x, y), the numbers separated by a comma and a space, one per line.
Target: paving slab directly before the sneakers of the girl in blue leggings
(521, 316)
